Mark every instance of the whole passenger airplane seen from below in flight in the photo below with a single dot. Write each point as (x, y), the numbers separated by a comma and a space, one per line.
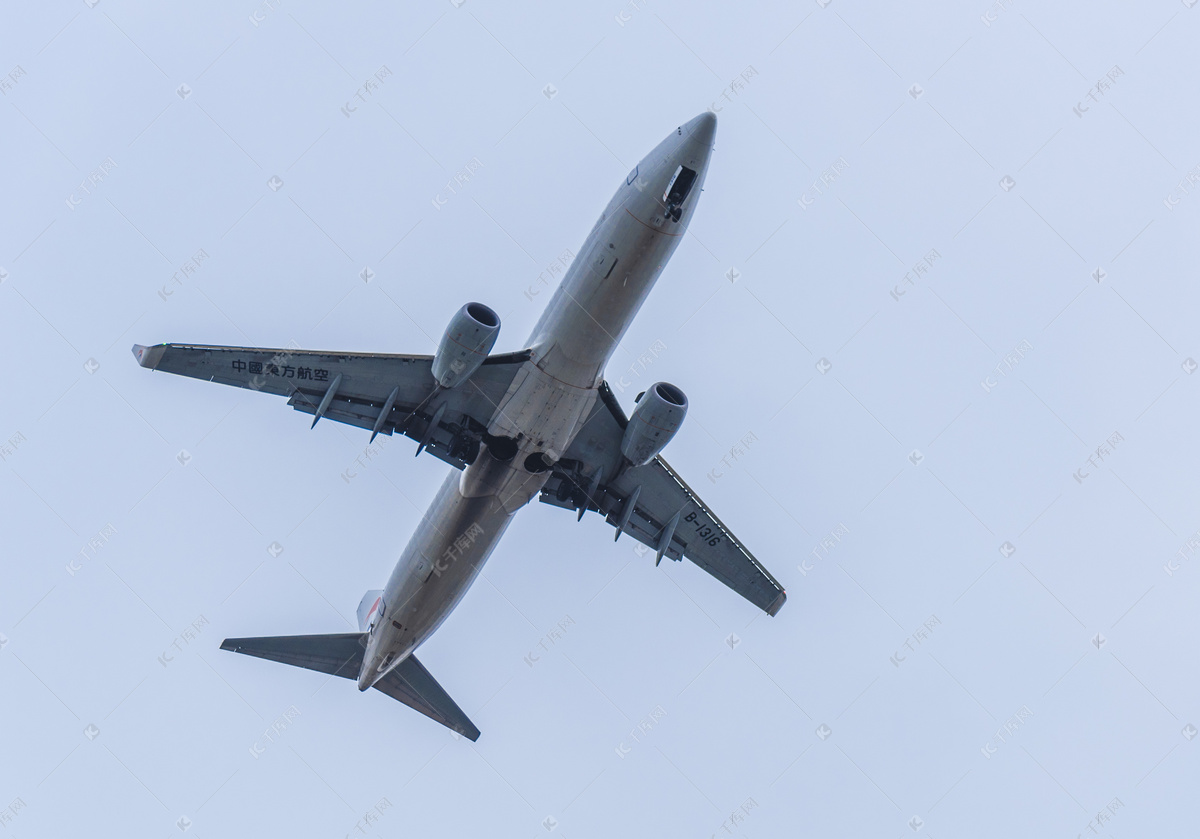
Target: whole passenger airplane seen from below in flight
(537, 423)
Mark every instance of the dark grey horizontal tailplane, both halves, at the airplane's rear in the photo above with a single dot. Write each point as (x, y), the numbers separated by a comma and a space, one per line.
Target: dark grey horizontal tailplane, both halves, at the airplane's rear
(341, 655)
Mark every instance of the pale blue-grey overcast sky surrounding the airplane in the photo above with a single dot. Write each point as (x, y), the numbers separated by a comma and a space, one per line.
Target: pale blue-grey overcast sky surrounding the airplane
(935, 317)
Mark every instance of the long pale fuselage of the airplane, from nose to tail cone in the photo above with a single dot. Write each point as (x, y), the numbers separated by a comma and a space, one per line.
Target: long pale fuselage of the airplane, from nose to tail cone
(543, 409)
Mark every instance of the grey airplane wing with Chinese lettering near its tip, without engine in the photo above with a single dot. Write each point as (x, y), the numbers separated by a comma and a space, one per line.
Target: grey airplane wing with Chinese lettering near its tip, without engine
(385, 394)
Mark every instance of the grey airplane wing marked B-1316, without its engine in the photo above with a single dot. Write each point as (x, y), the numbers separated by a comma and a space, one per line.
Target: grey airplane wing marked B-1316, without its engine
(658, 496)
